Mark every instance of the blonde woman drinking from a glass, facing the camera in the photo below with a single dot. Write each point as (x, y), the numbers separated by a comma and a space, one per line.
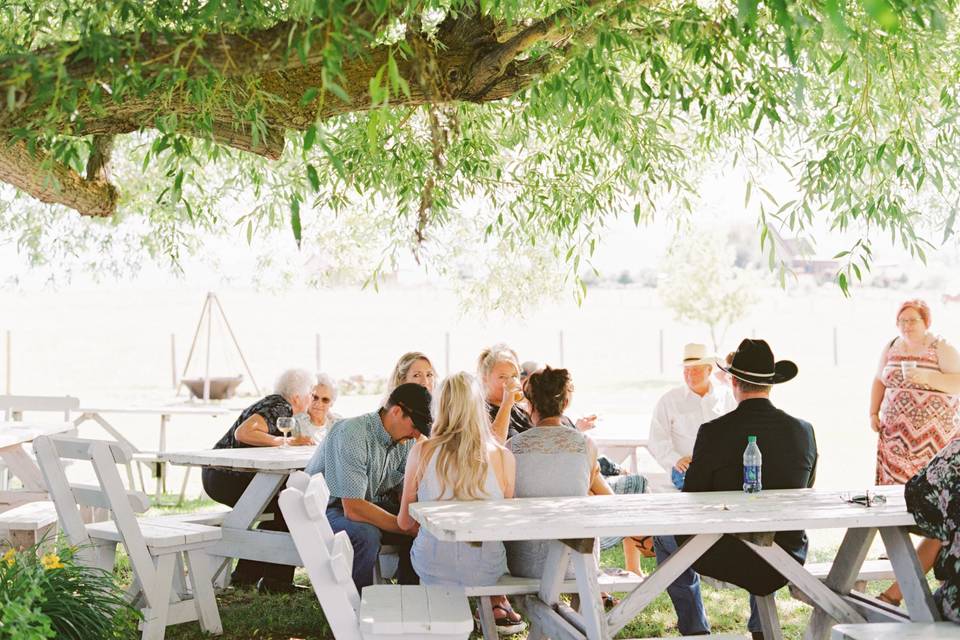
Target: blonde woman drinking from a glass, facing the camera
(499, 370)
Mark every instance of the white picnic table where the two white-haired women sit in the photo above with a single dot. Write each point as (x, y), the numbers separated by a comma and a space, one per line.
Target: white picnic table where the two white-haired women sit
(271, 465)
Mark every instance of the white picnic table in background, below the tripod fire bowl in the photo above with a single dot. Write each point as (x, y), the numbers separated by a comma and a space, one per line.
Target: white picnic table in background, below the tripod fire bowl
(165, 413)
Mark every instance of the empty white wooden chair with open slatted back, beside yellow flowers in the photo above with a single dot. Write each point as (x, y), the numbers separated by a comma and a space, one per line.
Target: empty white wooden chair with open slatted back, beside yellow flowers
(159, 548)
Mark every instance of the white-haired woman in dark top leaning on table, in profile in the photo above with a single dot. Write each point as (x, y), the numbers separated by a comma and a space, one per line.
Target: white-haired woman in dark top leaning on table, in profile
(257, 427)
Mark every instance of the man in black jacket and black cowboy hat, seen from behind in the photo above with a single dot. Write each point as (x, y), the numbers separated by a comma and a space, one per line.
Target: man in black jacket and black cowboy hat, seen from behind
(789, 452)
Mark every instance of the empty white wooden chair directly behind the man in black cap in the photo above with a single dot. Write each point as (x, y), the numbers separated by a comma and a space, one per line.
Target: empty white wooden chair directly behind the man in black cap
(381, 611)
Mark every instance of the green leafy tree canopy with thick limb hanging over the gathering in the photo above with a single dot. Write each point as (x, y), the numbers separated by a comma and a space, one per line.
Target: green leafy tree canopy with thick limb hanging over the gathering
(550, 116)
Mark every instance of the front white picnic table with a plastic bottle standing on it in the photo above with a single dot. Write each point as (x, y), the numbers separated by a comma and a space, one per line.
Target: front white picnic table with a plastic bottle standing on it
(573, 523)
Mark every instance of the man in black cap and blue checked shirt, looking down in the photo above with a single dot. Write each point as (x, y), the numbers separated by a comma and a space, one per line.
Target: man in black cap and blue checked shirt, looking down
(362, 460)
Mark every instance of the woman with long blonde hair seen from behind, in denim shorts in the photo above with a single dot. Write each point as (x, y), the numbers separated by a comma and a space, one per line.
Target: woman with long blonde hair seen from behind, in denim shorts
(460, 461)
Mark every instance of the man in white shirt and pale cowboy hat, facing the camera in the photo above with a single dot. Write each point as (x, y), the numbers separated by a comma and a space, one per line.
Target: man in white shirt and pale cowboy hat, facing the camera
(680, 412)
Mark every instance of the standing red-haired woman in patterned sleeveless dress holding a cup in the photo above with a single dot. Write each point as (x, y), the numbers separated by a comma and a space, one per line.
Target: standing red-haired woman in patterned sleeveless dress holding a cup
(914, 406)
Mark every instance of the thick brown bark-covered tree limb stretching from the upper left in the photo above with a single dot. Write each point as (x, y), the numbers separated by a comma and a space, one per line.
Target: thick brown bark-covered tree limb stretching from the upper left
(471, 65)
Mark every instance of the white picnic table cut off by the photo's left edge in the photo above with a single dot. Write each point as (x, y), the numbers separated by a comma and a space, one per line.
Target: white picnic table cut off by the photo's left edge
(13, 437)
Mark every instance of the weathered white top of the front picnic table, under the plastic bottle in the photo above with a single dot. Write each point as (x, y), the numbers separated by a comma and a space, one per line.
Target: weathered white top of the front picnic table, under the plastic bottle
(657, 514)
